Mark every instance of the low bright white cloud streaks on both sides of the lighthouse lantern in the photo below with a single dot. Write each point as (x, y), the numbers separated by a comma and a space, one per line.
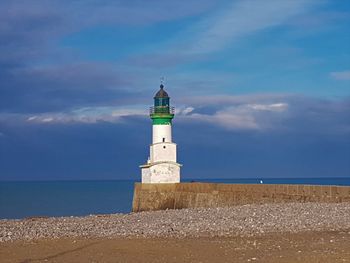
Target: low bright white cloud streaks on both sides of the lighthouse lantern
(233, 112)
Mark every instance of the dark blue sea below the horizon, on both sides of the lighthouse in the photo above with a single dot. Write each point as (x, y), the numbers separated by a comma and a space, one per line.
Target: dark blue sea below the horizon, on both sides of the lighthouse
(81, 198)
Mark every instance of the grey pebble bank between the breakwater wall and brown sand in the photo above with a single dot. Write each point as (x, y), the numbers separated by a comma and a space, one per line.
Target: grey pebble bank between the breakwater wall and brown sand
(242, 221)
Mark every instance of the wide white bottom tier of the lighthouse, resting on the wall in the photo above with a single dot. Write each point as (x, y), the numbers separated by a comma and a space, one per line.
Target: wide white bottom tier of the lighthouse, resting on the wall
(160, 172)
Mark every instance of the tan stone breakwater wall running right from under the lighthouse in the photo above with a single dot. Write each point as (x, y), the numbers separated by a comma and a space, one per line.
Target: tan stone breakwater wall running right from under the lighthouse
(149, 197)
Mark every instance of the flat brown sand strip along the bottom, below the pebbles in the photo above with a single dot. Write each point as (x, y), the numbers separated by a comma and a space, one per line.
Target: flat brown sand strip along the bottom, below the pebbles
(324, 246)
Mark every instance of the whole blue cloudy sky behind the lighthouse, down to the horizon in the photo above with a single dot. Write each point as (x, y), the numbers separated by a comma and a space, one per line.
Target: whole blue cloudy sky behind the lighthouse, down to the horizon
(261, 88)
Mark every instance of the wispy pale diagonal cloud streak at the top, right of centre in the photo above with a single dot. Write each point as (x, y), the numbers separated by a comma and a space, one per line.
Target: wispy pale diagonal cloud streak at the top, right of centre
(243, 18)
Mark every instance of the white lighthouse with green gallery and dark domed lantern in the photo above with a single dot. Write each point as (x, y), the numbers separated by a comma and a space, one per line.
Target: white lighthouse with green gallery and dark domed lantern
(161, 166)
